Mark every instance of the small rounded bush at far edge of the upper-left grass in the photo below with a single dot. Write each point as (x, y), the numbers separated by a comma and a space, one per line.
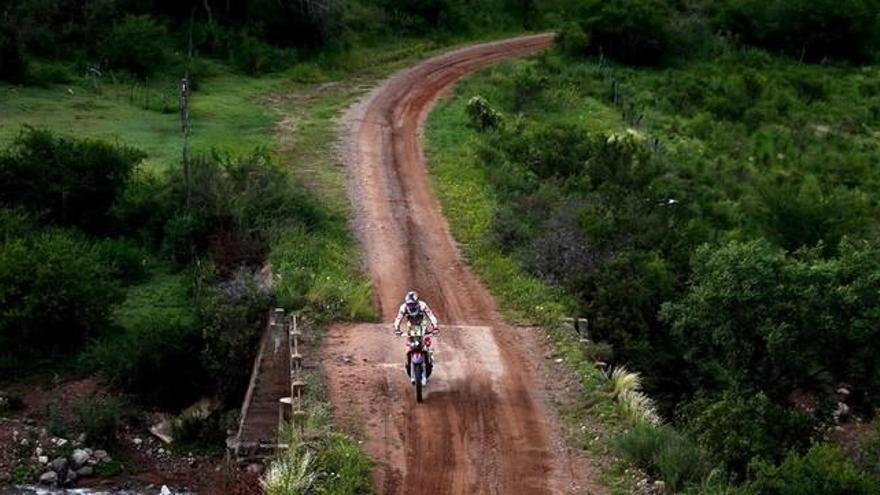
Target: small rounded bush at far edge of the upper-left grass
(137, 45)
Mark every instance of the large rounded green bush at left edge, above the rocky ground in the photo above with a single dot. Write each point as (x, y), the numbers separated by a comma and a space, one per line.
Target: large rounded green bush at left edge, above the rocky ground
(54, 293)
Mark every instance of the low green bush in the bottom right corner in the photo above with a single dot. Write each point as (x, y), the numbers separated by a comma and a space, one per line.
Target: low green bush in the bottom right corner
(824, 470)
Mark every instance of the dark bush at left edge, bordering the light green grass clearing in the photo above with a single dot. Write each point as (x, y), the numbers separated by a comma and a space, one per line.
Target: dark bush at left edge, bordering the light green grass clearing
(72, 182)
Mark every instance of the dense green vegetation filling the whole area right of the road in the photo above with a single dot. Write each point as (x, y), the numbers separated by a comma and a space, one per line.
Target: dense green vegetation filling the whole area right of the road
(714, 217)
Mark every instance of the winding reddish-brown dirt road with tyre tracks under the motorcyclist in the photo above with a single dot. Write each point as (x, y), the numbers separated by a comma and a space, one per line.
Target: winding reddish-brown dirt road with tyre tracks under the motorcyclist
(483, 427)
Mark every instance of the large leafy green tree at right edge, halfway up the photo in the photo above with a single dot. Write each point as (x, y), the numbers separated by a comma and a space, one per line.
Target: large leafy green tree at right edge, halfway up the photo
(756, 318)
